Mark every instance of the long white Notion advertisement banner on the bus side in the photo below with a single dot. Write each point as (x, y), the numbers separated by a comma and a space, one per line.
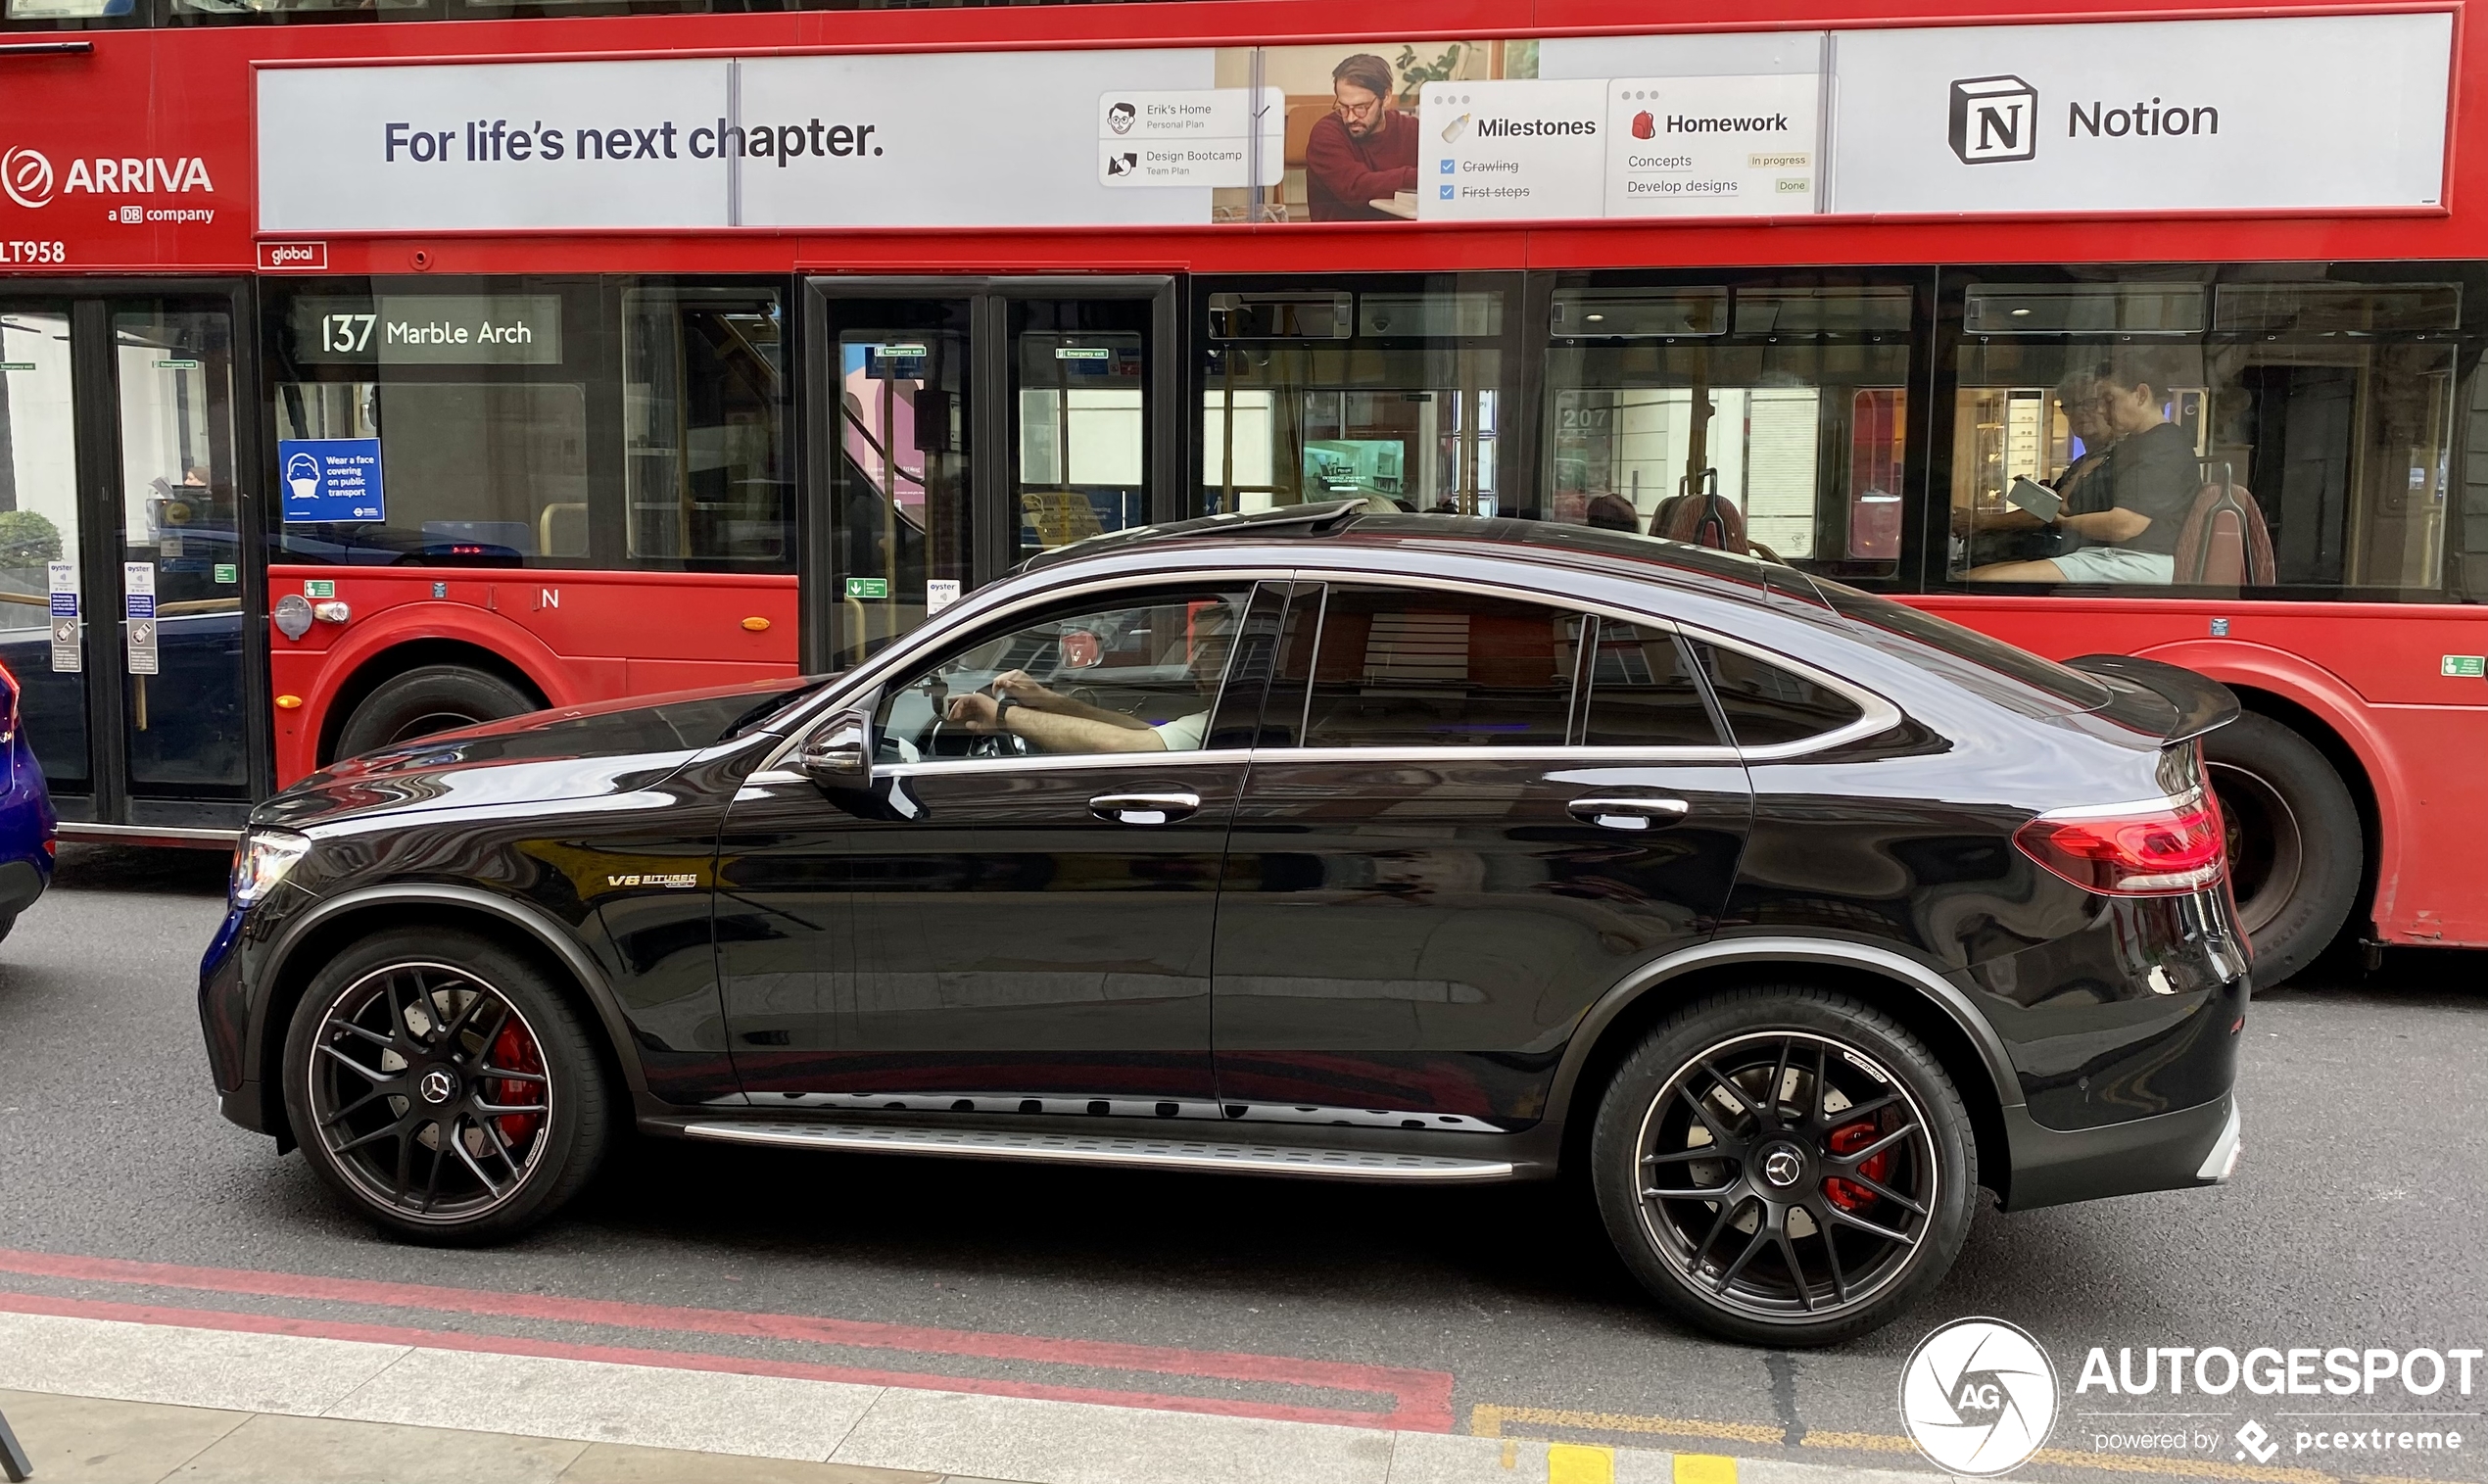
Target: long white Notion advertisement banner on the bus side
(2166, 116)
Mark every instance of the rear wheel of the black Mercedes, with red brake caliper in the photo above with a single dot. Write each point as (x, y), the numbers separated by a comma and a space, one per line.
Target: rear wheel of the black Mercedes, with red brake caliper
(1785, 1167)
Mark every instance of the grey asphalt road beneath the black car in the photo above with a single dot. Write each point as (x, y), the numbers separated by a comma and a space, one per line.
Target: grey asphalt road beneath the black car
(2357, 1221)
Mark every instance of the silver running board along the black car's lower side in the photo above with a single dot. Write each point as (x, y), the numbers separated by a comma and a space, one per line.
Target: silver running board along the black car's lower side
(1106, 1149)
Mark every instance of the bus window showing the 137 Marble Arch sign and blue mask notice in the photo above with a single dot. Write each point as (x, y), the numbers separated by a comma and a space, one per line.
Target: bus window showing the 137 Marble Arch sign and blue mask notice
(474, 402)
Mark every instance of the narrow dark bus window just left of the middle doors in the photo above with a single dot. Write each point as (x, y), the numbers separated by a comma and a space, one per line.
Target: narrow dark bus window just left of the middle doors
(703, 430)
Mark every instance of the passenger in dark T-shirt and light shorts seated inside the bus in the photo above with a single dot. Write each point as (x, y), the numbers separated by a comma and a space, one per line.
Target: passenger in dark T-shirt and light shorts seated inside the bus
(2148, 482)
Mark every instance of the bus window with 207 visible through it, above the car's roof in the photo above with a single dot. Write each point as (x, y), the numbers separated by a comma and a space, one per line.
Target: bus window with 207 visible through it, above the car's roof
(1755, 417)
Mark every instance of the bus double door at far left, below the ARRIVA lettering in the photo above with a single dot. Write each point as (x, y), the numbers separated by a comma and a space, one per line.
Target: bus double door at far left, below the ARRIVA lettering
(126, 556)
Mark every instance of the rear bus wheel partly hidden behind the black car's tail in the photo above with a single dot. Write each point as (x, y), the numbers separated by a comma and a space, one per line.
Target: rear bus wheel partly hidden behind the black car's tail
(2295, 843)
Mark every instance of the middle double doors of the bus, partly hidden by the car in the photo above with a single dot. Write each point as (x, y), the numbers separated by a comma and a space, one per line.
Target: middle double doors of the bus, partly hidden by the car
(967, 425)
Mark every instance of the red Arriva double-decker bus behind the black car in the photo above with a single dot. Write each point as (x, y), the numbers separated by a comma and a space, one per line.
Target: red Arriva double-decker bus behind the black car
(384, 365)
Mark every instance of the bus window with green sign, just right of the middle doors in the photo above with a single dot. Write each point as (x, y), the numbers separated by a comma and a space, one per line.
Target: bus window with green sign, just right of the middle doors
(1392, 395)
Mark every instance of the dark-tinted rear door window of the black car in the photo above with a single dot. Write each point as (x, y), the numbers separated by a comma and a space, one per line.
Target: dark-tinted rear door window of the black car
(1414, 669)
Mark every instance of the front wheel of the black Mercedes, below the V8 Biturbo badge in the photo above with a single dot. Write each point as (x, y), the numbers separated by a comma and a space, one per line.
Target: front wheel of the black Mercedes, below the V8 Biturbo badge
(444, 1087)
